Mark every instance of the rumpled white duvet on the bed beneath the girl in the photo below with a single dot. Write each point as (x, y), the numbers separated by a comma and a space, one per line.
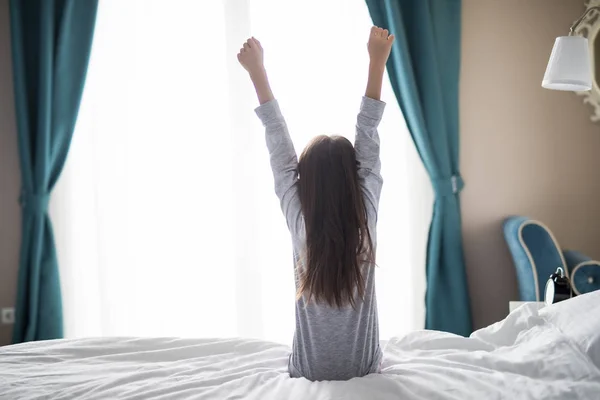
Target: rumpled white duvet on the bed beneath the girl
(553, 353)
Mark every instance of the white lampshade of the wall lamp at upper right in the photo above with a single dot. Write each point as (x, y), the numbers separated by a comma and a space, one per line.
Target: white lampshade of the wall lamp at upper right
(569, 65)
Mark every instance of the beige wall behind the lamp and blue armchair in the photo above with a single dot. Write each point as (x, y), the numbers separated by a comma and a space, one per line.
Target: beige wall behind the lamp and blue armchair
(524, 150)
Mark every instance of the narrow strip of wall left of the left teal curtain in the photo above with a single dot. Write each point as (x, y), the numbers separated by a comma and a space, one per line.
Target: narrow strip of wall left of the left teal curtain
(10, 220)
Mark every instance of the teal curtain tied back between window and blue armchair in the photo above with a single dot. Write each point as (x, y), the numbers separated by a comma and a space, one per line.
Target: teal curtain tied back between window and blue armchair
(424, 72)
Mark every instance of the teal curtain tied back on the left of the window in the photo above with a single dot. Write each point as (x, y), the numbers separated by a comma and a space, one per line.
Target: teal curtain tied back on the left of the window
(51, 42)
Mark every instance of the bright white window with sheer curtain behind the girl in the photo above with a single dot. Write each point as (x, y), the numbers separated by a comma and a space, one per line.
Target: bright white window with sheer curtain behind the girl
(166, 219)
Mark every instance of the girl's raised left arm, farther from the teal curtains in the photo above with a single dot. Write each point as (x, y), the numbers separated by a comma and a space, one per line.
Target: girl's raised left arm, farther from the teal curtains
(284, 162)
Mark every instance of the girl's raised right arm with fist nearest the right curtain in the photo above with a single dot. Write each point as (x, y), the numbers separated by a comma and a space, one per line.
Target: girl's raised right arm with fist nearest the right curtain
(371, 110)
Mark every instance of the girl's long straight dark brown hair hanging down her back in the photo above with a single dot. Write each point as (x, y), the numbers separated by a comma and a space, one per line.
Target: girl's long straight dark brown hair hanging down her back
(338, 241)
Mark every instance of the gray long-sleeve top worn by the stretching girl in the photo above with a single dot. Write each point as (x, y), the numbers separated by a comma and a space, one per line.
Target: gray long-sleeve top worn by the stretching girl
(330, 343)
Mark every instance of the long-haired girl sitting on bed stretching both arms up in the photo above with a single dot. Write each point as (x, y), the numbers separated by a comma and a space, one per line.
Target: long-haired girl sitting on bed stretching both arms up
(330, 198)
